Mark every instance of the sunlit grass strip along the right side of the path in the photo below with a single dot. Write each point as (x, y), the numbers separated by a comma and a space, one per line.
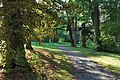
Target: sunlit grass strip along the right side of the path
(110, 61)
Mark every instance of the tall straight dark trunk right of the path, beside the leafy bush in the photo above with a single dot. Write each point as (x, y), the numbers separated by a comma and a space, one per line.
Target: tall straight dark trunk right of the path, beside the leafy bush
(96, 22)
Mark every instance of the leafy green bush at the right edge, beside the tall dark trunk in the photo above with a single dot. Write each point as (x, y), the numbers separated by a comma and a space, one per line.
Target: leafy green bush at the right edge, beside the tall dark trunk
(110, 39)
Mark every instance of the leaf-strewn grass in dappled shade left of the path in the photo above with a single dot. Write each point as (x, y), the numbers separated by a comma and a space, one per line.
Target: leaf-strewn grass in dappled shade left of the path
(51, 62)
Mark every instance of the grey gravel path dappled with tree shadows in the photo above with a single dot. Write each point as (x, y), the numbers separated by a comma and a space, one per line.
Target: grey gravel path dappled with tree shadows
(85, 68)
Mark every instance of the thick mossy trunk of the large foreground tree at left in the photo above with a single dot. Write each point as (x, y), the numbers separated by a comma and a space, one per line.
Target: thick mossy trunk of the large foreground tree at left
(15, 54)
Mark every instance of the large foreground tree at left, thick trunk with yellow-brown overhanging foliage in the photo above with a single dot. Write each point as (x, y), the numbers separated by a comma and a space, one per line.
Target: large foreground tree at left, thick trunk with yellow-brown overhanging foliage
(20, 16)
